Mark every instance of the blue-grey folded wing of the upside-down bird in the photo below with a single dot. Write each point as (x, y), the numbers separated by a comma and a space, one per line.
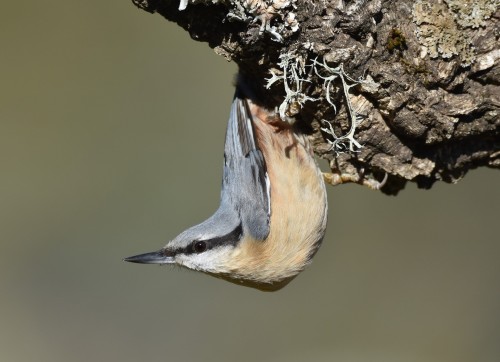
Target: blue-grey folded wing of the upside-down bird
(246, 185)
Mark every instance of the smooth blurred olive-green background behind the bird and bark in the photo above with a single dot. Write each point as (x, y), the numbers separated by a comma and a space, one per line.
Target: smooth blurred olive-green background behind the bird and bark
(98, 101)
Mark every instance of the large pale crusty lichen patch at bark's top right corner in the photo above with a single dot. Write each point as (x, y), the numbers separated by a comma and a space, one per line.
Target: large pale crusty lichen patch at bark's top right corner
(444, 28)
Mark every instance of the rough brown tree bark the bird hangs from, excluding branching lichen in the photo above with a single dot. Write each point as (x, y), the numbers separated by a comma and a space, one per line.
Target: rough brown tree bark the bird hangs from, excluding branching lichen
(429, 108)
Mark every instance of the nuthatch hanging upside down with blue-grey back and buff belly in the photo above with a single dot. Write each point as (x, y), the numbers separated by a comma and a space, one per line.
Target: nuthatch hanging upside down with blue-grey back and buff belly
(273, 209)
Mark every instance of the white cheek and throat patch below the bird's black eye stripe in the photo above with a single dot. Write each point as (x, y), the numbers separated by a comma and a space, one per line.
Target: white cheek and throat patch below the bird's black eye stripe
(212, 261)
